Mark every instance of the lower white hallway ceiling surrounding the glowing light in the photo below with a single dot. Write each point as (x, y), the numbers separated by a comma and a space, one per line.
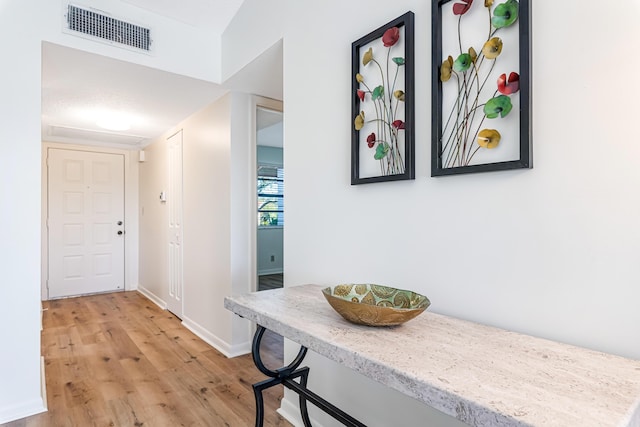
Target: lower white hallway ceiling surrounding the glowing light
(79, 87)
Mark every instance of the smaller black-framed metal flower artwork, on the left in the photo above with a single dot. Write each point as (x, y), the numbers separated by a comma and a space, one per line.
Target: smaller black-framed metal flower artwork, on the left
(382, 103)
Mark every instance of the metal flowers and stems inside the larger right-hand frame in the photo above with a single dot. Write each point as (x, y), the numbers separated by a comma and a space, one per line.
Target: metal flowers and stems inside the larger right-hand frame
(465, 131)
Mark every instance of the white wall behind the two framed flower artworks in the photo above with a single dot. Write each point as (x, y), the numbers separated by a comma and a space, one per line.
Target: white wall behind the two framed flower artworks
(550, 251)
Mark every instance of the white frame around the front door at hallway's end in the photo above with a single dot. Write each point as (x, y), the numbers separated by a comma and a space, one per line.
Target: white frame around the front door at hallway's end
(130, 212)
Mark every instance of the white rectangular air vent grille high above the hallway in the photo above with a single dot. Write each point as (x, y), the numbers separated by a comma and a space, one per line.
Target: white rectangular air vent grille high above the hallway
(94, 24)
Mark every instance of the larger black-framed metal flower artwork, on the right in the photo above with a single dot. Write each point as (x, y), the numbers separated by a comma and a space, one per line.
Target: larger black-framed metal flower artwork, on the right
(480, 86)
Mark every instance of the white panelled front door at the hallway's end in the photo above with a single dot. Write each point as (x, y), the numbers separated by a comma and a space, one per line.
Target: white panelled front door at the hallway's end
(85, 222)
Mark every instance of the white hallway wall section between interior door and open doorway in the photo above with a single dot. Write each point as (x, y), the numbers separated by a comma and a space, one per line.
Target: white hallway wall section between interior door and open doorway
(206, 139)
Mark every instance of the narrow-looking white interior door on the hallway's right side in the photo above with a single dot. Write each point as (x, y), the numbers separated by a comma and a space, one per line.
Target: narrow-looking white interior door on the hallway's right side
(174, 204)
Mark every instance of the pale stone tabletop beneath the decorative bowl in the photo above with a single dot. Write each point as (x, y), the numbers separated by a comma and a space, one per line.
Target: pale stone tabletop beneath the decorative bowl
(481, 375)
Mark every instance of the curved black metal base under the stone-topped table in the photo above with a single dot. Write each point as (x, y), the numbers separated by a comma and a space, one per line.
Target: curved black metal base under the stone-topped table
(286, 376)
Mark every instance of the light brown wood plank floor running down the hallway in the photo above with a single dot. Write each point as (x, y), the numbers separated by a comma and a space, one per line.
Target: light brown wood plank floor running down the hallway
(119, 360)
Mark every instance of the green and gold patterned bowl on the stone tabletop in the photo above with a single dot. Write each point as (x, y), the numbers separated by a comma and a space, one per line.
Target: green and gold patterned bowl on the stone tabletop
(375, 305)
